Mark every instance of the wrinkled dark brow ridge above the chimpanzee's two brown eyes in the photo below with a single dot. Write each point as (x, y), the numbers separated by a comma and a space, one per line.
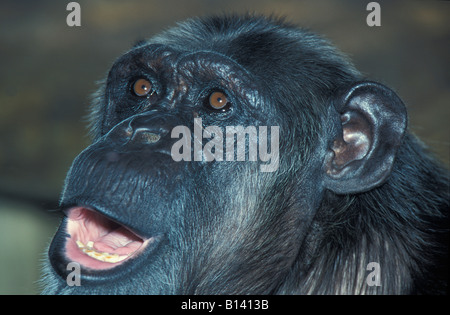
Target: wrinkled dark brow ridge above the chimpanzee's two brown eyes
(175, 66)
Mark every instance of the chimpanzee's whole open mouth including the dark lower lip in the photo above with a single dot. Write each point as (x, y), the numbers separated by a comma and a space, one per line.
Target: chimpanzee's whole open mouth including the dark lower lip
(102, 246)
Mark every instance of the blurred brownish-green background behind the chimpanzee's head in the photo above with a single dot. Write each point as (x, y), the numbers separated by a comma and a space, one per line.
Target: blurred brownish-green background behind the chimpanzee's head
(48, 71)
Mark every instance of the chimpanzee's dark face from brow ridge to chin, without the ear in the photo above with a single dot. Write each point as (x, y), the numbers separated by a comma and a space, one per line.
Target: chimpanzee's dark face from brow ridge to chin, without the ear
(177, 126)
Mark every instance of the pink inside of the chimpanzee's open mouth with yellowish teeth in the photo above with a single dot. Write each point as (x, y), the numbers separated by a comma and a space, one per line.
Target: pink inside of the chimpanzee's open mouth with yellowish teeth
(99, 243)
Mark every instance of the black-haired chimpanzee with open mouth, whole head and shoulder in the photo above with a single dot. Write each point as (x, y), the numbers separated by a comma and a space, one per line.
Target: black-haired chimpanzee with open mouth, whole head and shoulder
(242, 154)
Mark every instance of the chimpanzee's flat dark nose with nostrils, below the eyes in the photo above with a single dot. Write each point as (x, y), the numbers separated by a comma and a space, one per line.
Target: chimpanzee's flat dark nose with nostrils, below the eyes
(141, 129)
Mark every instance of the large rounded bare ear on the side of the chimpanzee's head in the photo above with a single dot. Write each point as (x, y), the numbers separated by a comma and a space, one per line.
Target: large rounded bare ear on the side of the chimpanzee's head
(373, 121)
